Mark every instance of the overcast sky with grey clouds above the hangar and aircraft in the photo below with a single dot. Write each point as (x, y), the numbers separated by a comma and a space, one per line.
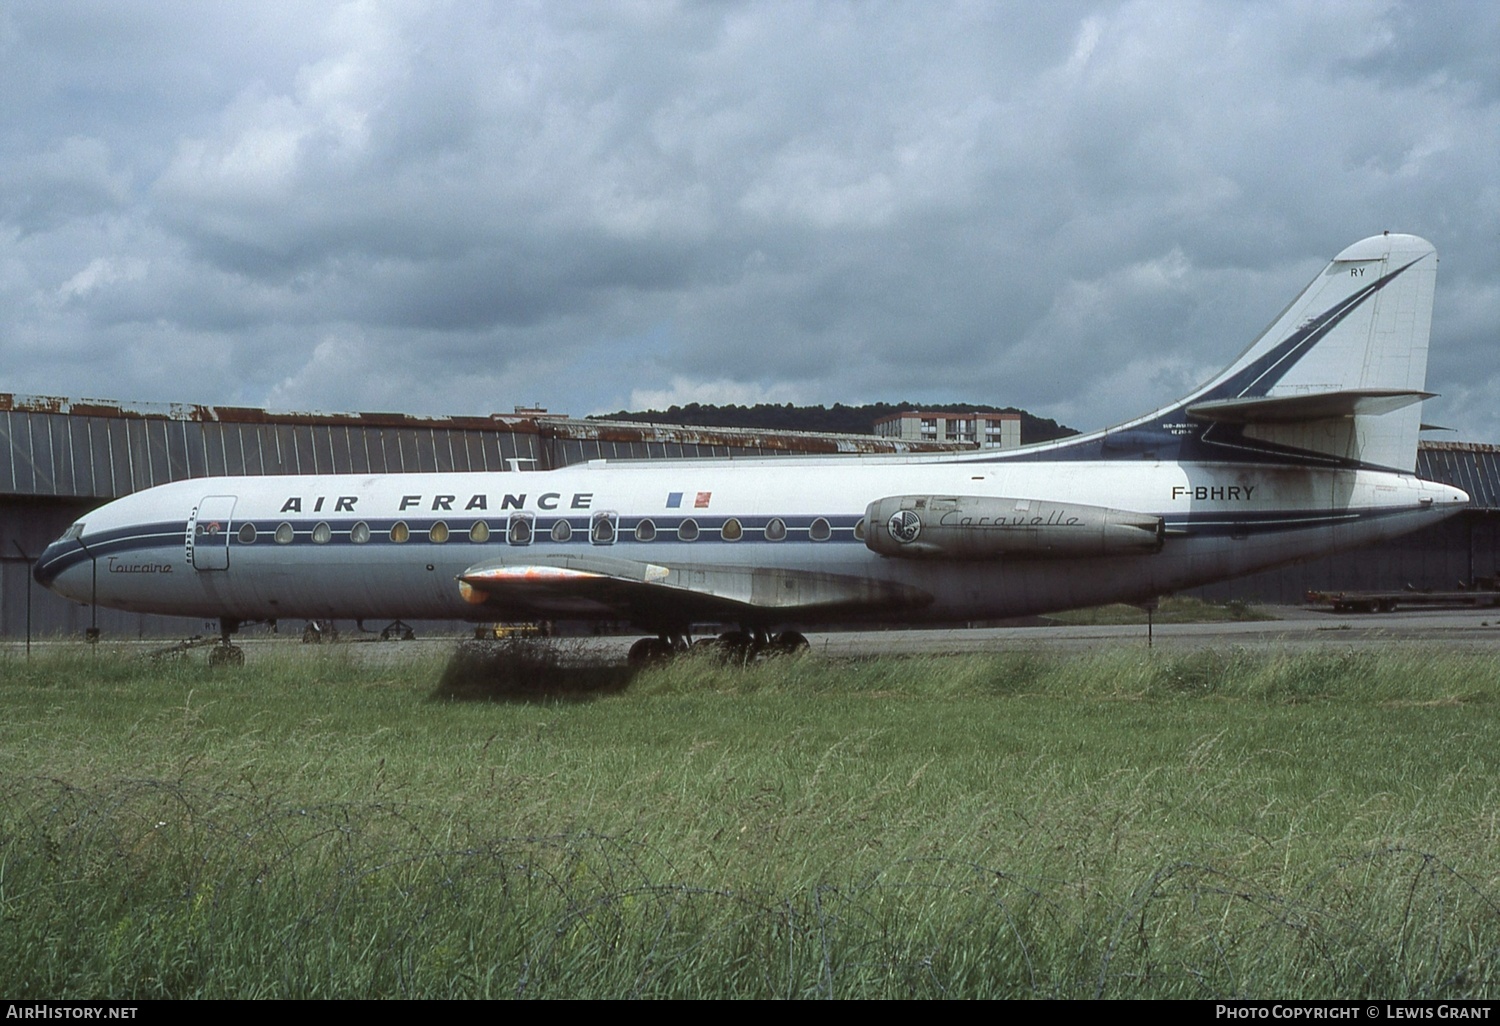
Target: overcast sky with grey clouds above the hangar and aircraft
(1081, 209)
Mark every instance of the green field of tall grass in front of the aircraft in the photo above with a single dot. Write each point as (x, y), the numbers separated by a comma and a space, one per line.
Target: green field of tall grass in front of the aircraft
(1124, 824)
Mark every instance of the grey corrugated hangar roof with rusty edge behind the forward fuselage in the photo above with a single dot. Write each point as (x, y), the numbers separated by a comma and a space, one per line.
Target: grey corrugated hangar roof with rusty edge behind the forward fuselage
(97, 449)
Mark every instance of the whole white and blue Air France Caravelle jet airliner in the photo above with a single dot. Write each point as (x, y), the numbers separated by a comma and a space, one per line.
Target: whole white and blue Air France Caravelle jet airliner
(1304, 445)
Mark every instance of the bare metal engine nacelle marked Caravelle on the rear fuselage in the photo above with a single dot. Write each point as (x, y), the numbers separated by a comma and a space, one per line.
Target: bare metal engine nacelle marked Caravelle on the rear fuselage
(973, 527)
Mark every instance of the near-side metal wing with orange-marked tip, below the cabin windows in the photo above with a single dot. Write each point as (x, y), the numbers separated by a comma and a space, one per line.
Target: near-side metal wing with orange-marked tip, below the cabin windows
(665, 598)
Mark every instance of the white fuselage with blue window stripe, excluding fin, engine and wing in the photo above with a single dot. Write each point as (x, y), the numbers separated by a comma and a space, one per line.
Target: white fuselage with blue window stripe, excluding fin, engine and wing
(256, 548)
